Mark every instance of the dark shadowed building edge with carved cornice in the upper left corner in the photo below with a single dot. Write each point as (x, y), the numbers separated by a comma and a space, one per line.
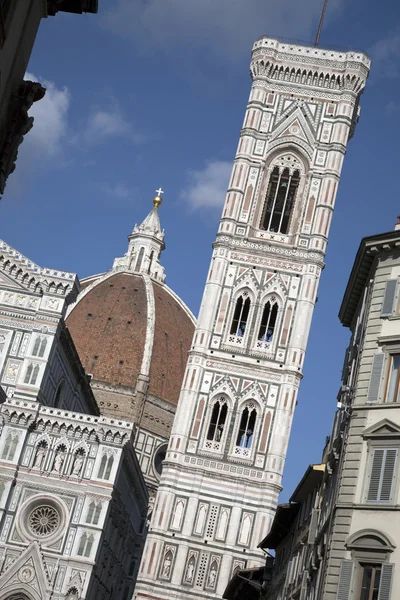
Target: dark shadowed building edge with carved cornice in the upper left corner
(19, 23)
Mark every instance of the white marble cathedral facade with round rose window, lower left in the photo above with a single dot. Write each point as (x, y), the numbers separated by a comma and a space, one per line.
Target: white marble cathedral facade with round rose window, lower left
(73, 501)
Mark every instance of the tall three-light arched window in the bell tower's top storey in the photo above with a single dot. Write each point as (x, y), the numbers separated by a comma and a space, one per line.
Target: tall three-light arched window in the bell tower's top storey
(280, 199)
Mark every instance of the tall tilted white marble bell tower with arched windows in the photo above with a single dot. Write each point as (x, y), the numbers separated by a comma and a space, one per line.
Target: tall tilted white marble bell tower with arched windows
(223, 469)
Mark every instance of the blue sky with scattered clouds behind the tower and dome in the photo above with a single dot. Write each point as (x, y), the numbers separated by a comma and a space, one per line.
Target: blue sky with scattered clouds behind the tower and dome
(153, 92)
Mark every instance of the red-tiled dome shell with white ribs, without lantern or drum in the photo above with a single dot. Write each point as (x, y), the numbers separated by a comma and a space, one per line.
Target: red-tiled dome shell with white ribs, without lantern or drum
(127, 324)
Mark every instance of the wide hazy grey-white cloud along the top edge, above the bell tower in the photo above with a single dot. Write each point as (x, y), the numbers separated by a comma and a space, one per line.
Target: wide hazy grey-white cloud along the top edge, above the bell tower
(226, 27)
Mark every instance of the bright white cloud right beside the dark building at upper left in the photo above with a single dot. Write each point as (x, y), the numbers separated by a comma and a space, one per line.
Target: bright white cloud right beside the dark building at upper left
(50, 119)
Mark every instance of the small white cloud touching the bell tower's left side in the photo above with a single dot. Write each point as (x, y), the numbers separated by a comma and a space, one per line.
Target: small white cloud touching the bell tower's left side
(206, 188)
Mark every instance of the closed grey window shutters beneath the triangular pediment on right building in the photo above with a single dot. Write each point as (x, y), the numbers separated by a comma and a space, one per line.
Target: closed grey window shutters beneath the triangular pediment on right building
(382, 475)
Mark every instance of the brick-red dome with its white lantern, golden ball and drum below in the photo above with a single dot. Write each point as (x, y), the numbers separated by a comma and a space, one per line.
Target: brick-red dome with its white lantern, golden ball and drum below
(133, 334)
